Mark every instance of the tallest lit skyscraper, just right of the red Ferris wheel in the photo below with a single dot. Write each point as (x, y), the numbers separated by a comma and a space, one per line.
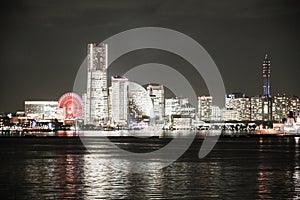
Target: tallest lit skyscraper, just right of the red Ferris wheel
(96, 95)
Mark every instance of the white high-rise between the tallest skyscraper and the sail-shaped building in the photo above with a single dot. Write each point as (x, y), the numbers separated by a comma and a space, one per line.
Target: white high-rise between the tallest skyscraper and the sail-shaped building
(119, 99)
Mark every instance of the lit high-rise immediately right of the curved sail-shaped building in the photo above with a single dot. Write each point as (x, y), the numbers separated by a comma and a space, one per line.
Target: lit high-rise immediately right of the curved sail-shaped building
(156, 93)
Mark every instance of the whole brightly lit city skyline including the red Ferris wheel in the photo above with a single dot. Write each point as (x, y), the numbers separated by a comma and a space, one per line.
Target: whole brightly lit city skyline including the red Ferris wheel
(123, 103)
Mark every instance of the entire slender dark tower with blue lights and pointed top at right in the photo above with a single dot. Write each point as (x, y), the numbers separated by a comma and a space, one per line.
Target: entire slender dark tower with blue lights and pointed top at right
(267, 99)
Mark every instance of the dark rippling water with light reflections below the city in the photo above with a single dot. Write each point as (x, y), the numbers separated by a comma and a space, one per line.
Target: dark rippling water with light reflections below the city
(237, 168)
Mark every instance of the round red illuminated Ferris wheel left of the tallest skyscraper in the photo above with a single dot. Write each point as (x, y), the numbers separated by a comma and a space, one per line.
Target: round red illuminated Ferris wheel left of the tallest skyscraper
(71, 104)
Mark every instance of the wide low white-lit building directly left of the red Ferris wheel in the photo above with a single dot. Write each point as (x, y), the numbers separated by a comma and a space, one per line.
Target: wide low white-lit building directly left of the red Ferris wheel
(42, 110)
